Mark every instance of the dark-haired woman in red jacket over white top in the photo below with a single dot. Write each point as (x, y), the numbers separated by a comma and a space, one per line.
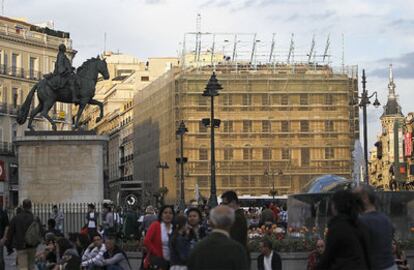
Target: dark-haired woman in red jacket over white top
(157, 240)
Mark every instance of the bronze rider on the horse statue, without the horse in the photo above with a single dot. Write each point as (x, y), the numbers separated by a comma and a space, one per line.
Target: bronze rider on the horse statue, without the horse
(63, 74)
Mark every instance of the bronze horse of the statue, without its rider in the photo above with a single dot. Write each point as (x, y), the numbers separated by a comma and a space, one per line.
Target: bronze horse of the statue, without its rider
(86, 76)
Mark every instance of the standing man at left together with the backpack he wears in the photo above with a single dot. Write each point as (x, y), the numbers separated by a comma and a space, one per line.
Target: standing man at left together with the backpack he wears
(24, 235)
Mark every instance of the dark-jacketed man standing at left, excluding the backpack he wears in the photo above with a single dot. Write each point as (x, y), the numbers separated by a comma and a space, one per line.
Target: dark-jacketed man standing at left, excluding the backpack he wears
(16, 236)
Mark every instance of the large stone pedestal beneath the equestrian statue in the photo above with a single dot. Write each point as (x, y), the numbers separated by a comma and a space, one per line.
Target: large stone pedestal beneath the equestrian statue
(61, 167)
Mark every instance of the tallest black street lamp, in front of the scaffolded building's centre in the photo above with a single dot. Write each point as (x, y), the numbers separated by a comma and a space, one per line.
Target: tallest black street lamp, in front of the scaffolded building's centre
(211, 91)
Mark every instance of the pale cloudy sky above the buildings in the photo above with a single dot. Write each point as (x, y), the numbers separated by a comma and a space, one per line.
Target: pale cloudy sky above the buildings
(376, 32)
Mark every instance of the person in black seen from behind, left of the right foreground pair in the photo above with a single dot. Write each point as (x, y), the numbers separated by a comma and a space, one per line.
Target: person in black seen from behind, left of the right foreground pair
(347, 240)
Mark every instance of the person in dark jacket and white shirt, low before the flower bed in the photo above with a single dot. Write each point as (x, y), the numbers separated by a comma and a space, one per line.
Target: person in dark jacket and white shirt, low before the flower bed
(269, 259)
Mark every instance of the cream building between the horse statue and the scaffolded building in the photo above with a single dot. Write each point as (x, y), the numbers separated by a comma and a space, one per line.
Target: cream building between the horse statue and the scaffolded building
(128, 75)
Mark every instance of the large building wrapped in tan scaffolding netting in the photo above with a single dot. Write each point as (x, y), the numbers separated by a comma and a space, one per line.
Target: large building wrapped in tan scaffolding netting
(281, 125)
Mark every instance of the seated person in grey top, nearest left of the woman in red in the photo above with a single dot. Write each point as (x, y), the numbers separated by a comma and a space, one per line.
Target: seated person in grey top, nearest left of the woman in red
(114, 258)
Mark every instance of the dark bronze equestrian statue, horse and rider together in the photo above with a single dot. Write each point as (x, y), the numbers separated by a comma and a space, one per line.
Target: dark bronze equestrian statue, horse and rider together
(65, 86)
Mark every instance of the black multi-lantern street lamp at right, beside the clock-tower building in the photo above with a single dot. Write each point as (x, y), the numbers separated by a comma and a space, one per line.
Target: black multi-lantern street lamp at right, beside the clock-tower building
(365, 97)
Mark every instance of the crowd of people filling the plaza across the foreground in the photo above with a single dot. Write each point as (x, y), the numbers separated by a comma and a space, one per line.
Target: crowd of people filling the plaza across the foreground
(358, 237)
